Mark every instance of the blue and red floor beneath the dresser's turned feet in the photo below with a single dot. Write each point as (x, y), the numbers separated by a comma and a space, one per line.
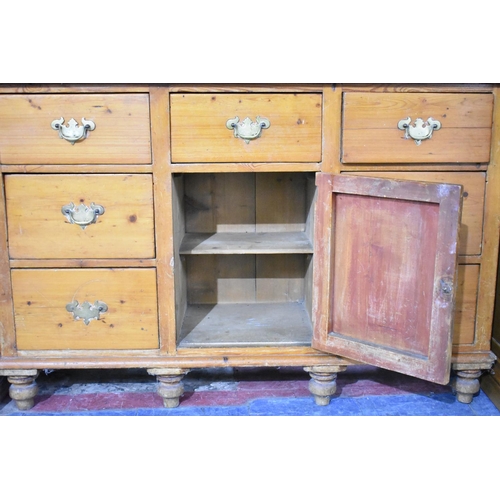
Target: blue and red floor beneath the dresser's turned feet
(361, 390)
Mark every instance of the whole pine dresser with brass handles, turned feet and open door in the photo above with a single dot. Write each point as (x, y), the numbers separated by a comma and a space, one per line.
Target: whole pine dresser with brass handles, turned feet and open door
(180, 227)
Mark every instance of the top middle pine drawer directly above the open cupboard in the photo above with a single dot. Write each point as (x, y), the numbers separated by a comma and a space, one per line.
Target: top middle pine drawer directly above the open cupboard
(200, 133)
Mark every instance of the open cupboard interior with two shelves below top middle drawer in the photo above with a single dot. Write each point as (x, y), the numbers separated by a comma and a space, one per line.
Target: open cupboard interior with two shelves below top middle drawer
(243, 258)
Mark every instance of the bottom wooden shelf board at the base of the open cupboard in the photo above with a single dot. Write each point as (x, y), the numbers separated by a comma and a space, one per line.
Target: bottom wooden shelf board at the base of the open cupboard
(251, 324)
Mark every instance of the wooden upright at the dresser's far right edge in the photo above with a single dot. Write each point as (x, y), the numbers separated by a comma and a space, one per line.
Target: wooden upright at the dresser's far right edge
(489, 262)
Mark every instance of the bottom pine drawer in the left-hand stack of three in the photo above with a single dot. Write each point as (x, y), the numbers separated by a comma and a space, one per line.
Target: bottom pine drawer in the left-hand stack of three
(47, 303)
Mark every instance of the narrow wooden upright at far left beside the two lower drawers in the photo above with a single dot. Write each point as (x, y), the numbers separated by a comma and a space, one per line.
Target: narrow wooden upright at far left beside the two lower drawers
(7, 329)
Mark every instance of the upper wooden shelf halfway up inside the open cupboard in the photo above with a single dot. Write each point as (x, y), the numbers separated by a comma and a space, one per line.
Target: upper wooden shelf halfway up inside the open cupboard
(246, 243)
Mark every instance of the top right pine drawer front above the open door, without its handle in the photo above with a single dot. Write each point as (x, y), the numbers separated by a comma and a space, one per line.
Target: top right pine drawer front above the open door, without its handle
(371, 134)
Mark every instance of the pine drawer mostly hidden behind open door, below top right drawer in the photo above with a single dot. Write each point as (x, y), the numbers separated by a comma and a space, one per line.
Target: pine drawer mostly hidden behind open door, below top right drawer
(474, 184)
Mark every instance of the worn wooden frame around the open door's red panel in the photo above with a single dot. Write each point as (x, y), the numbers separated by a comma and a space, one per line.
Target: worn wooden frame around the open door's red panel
(436, 366)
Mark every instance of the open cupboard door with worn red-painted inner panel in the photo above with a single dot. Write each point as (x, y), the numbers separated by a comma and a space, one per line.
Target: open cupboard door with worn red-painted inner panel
(385, 272)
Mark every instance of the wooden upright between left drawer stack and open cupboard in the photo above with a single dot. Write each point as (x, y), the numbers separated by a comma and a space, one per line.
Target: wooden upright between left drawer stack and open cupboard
(162, 179)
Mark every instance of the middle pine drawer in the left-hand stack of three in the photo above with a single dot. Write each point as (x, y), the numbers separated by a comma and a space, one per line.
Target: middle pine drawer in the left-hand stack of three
(38, 229)
